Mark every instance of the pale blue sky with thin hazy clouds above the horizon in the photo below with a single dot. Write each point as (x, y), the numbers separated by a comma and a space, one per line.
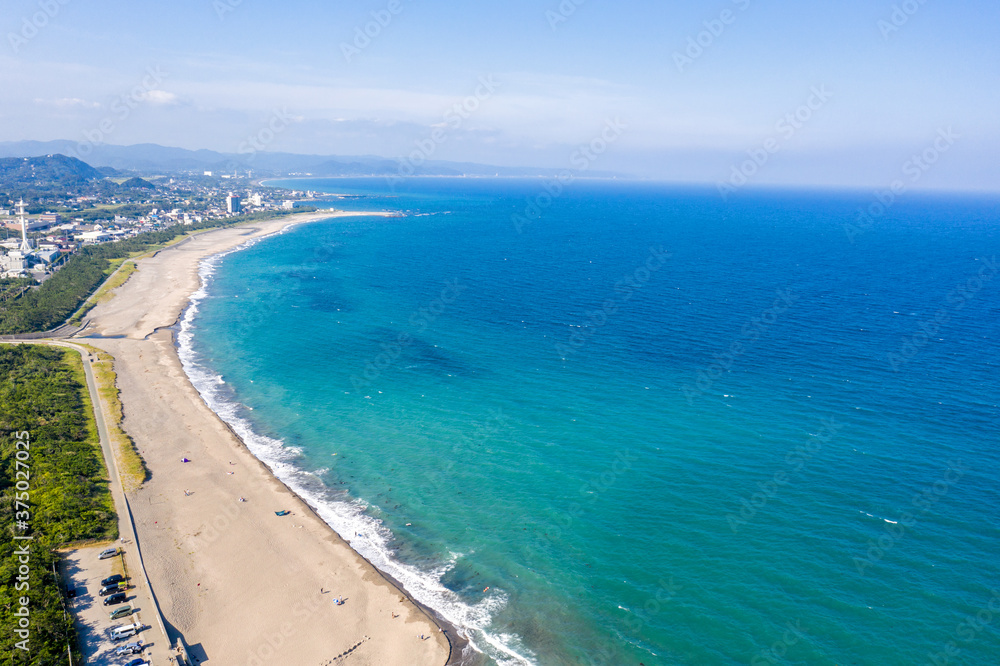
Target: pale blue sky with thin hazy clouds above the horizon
(558, 73)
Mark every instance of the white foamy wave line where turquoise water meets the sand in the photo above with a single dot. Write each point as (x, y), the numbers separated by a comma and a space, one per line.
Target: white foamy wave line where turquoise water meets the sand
(367, 535)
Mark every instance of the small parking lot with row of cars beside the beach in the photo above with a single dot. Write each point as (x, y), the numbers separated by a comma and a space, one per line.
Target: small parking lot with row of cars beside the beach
(82, 572)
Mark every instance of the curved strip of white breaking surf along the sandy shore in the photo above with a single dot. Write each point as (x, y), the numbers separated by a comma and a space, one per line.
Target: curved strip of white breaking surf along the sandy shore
(369, 539)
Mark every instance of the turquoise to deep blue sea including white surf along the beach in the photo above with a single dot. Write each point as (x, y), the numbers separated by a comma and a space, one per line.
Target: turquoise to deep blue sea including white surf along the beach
(633, 423)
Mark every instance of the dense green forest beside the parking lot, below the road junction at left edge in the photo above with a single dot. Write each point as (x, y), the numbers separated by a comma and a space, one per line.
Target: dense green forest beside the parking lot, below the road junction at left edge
(53, 478)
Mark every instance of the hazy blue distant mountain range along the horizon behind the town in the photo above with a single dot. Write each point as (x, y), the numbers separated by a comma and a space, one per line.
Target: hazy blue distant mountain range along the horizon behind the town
(148, 158)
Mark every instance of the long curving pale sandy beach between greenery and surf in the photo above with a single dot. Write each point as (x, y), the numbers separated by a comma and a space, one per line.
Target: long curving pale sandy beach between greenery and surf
(240, 584)
